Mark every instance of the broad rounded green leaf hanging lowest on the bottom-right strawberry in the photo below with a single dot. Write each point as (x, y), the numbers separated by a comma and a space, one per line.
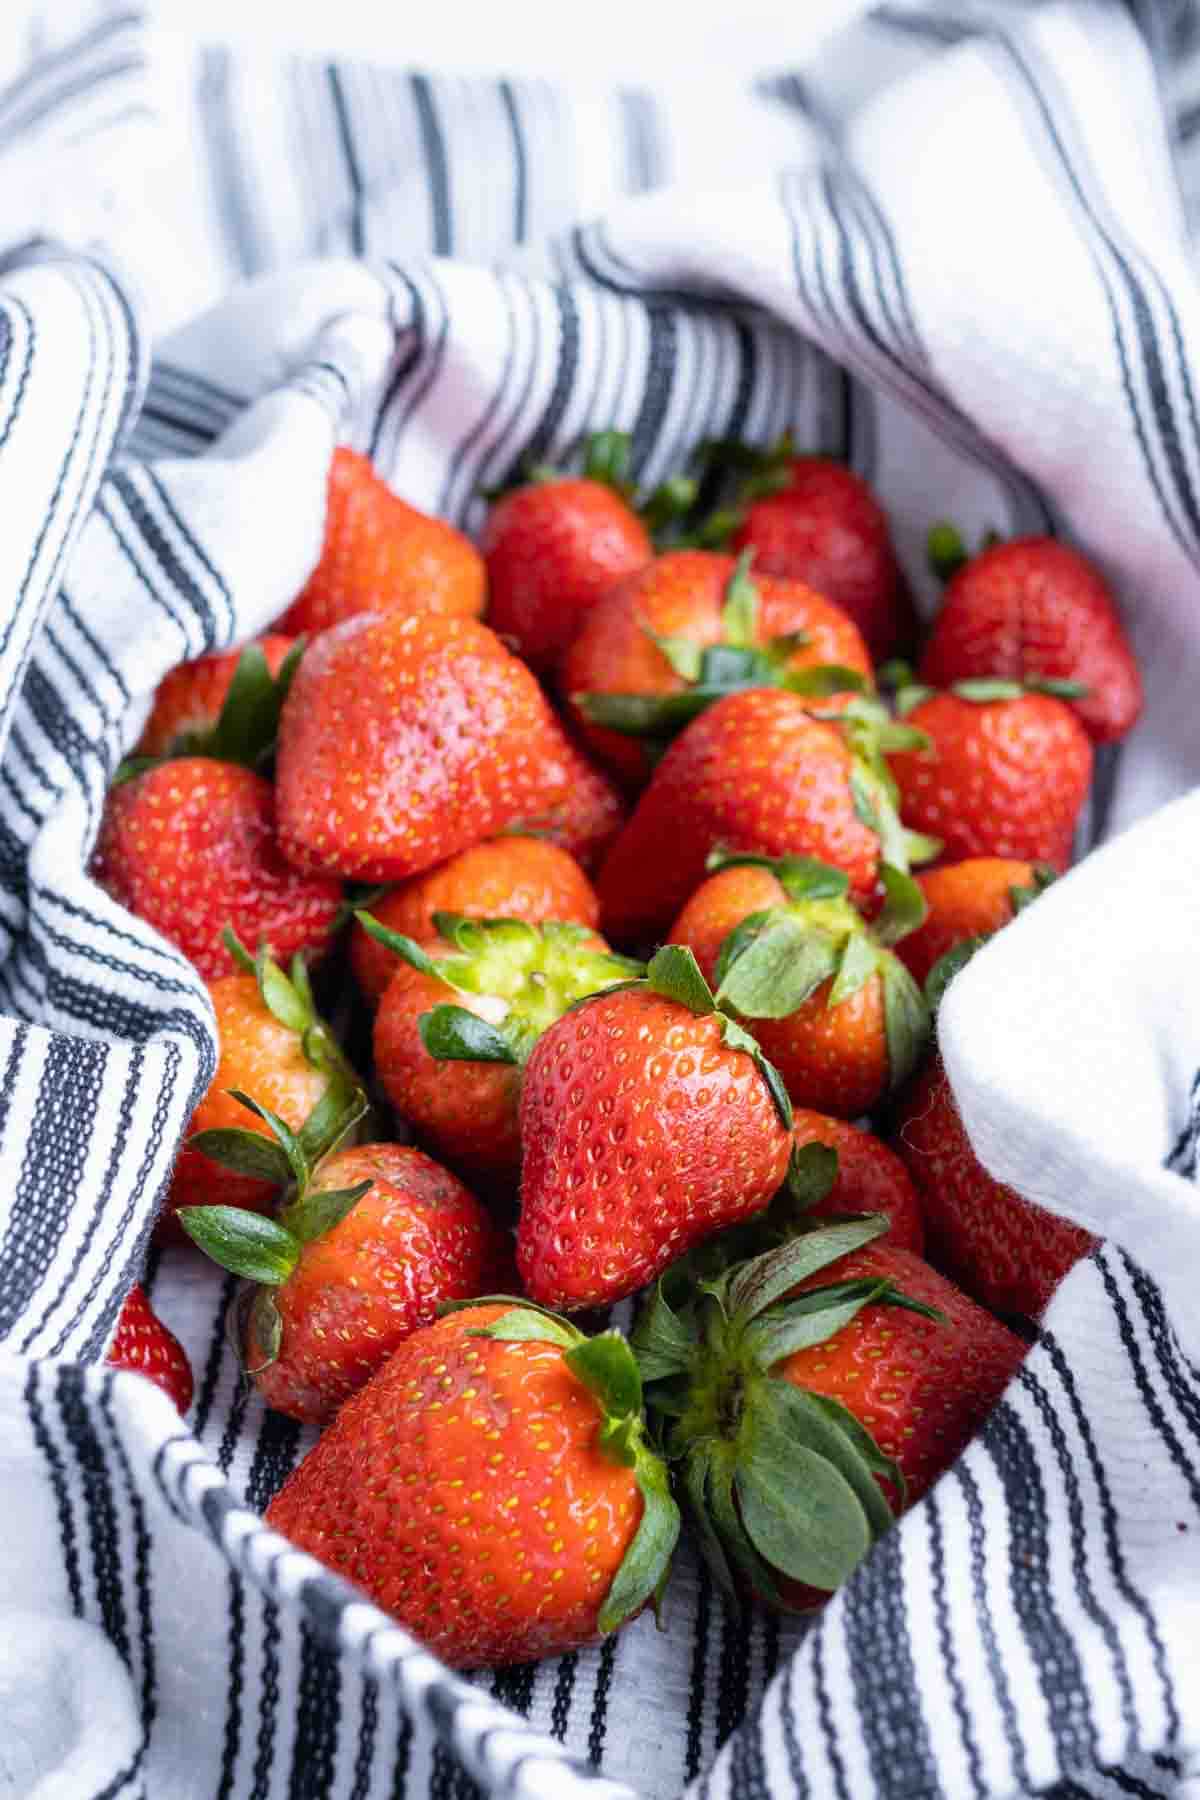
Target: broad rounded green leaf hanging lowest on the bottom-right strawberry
(803, 1516)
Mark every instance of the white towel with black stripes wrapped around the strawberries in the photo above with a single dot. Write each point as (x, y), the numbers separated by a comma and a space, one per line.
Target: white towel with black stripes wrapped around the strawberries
(954, 253)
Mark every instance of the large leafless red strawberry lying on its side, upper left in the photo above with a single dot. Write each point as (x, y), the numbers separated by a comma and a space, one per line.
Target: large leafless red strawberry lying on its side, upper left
(407, 739)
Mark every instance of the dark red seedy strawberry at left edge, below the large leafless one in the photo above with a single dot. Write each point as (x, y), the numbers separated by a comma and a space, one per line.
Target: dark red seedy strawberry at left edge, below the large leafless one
(192, 849)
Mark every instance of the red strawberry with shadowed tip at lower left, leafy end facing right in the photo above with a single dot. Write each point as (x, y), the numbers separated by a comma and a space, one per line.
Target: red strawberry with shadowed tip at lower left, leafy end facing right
(758, 773)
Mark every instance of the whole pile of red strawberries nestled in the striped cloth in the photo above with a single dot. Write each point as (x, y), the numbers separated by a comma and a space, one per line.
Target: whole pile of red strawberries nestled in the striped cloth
(670, 730)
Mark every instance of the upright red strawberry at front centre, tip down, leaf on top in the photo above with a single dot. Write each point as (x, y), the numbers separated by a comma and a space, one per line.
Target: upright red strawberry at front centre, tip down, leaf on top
(649, 1120)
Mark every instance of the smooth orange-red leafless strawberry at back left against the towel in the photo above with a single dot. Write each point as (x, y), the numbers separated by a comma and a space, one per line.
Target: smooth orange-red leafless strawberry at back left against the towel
(382, 555)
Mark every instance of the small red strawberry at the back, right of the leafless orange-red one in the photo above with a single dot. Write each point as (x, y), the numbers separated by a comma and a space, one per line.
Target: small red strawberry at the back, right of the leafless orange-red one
(555, 546)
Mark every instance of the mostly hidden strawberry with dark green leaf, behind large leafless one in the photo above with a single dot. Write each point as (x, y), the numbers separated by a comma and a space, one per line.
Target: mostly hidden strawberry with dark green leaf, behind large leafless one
(224, 705)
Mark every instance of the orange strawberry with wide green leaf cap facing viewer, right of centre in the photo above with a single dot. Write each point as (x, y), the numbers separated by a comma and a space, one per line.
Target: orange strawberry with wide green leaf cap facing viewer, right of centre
(834, 1009)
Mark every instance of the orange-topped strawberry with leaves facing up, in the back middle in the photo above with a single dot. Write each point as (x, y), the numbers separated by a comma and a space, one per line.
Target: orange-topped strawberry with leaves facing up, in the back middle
(685, 631)
